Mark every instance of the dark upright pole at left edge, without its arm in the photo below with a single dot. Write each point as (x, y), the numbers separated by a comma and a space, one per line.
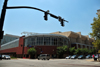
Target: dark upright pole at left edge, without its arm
(2, 19)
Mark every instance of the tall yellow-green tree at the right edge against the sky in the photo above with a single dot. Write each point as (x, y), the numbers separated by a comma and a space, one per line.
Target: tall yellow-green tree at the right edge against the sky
(96, 31)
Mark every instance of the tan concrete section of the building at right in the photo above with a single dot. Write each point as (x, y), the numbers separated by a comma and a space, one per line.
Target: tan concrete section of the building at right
(77, 40)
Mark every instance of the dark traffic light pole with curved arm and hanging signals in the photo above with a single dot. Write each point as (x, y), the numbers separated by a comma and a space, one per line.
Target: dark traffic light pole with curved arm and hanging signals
(4, 12)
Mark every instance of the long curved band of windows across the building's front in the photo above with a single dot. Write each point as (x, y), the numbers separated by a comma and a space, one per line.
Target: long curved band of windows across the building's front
(56, 41)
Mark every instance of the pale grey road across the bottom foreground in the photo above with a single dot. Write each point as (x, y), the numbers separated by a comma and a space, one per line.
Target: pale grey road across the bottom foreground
(48, 63)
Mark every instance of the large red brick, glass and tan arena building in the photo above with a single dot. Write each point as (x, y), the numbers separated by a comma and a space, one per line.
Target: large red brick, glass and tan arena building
(46, 43)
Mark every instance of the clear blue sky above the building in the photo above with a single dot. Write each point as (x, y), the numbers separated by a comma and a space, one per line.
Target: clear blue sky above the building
(78, 13)
